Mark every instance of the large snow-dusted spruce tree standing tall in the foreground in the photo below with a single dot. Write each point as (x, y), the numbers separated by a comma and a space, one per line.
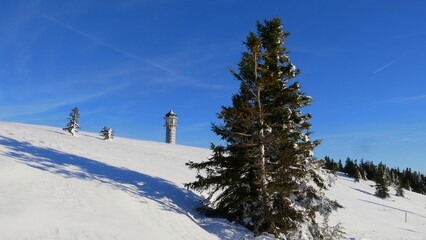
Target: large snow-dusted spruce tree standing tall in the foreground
(265, 176)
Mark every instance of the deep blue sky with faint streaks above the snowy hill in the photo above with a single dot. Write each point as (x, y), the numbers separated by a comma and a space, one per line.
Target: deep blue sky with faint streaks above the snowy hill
(125, 64)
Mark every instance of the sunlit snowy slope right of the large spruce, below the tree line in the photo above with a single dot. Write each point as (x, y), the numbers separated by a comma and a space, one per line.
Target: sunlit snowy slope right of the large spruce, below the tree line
(367, 217)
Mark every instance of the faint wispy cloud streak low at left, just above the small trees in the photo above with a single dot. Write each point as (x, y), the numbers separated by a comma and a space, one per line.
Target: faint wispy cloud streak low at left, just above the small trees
(35, 108)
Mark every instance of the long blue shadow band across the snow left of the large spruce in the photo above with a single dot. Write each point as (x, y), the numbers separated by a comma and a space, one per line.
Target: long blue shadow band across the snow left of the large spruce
(165, 193)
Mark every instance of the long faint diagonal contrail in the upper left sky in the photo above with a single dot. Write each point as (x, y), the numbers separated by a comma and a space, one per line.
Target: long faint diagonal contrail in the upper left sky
(130, 55)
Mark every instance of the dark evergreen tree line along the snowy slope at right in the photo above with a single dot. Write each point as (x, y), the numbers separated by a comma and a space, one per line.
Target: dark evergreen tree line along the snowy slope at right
(383, 175)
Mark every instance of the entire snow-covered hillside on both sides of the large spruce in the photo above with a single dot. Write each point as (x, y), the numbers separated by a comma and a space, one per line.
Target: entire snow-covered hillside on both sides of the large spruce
(54, 186)
